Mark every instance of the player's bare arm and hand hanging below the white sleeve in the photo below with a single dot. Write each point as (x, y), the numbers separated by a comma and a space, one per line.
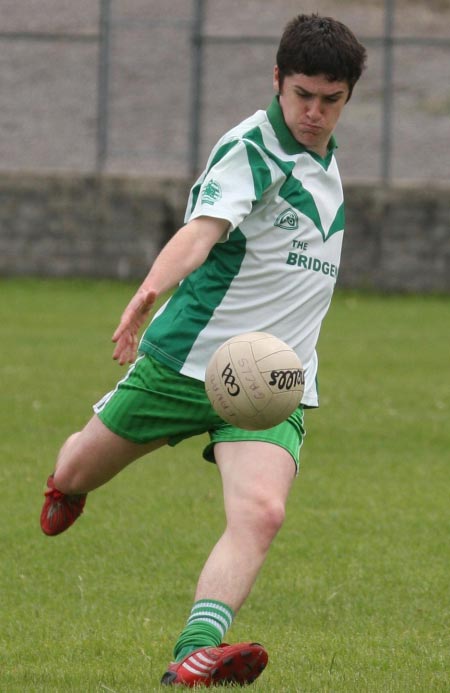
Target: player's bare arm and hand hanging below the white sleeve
(185, 251)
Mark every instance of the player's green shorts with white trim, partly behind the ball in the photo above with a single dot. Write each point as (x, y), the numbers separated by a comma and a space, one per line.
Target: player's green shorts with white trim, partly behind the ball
(153, 401)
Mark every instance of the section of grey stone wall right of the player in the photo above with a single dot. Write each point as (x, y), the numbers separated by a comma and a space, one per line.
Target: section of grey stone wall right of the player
(397, 239)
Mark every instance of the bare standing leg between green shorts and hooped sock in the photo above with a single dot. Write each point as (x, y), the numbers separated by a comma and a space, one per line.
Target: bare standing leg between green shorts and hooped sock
(256, 479)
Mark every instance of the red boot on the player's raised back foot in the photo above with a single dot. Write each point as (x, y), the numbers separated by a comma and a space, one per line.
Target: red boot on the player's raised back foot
(60, 510)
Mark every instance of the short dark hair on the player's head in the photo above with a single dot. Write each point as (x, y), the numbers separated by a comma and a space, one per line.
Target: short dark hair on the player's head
(314, 45)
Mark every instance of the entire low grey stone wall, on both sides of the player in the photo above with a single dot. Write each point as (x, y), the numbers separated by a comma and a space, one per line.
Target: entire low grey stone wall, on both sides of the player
(396, 239)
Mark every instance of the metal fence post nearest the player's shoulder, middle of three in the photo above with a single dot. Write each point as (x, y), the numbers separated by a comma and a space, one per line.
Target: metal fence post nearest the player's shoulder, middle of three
(196, 85)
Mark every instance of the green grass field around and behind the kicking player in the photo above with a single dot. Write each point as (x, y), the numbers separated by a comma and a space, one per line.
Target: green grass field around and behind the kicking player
(355, 594)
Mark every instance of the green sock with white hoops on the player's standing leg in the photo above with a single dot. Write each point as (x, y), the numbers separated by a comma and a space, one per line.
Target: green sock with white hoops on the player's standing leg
(206, 626)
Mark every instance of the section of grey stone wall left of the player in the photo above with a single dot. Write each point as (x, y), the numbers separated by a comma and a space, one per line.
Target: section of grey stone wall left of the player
(88, 226)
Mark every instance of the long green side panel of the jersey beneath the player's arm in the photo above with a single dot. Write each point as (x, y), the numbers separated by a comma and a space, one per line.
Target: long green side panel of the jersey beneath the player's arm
(172, 333)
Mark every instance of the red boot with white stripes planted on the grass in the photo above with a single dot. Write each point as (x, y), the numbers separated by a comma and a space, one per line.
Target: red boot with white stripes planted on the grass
(241, 663)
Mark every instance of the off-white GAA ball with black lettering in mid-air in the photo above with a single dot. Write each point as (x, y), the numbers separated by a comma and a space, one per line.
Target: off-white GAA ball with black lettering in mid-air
(254, 381)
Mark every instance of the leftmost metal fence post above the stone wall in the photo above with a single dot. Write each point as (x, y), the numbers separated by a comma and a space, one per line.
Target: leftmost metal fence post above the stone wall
(103, 84)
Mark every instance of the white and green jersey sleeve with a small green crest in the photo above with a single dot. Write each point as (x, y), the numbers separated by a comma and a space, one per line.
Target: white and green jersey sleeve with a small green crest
(231, 185)
